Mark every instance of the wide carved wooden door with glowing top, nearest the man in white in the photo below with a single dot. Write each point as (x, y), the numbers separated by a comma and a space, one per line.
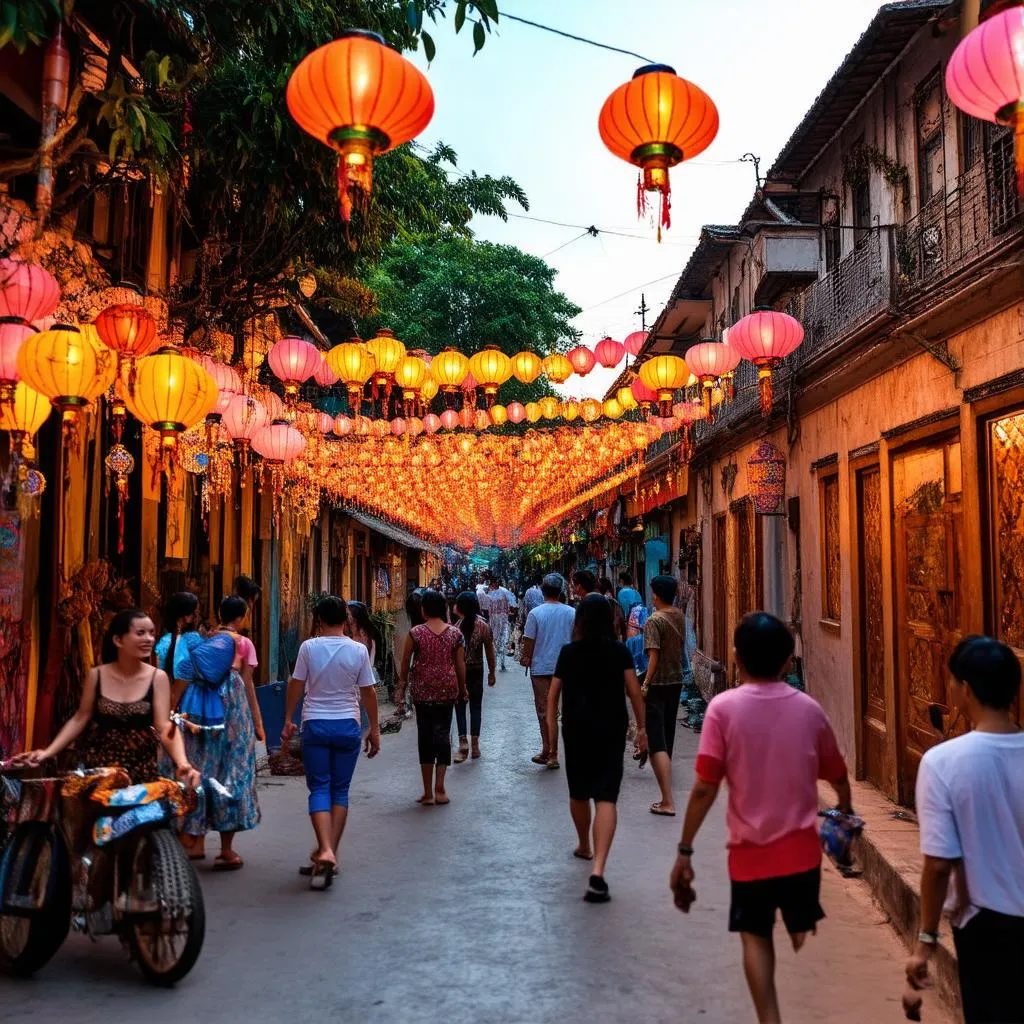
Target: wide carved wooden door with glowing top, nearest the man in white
(929, 615)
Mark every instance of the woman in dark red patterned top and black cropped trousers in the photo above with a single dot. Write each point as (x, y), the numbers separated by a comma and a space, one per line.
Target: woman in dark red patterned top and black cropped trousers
(439, 680)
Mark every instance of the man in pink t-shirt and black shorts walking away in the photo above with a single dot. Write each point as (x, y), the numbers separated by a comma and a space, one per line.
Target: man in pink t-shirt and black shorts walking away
(772, 743)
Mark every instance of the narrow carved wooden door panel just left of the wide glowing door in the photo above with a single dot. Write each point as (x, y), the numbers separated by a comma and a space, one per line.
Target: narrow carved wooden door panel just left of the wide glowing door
(873, 673)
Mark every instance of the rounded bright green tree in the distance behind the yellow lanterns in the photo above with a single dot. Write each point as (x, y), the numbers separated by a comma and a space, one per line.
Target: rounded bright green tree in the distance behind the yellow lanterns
(436, 291)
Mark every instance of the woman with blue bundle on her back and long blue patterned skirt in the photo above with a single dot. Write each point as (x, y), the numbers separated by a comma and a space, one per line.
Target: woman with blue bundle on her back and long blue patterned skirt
(226, 752)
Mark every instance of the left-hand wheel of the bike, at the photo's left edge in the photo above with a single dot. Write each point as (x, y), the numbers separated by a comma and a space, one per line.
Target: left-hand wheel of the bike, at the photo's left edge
(35, 899)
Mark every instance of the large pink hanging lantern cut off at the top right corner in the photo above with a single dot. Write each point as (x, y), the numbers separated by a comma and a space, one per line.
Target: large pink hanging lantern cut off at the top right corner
(986, 76)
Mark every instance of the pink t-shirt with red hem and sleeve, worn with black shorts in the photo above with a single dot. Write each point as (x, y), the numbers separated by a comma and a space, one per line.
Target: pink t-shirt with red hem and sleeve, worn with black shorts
(771, 744)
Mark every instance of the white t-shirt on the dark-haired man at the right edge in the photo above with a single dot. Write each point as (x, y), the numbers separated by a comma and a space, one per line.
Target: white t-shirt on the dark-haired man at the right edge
(970, 800)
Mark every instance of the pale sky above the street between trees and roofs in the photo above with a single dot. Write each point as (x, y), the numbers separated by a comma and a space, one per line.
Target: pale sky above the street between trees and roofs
(528, 106)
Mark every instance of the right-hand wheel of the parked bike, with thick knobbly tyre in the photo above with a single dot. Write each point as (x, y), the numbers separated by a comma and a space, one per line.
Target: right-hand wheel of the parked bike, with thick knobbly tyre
(167, 935)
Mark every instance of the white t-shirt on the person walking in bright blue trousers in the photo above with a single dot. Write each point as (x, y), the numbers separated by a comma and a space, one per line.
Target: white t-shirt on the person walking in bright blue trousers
(334, 669)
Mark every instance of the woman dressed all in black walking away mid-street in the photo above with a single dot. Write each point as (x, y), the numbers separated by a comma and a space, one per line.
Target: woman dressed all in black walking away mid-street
(596, 673)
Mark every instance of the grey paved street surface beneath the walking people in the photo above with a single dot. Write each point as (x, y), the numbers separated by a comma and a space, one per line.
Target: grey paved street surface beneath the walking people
(473, 913)
